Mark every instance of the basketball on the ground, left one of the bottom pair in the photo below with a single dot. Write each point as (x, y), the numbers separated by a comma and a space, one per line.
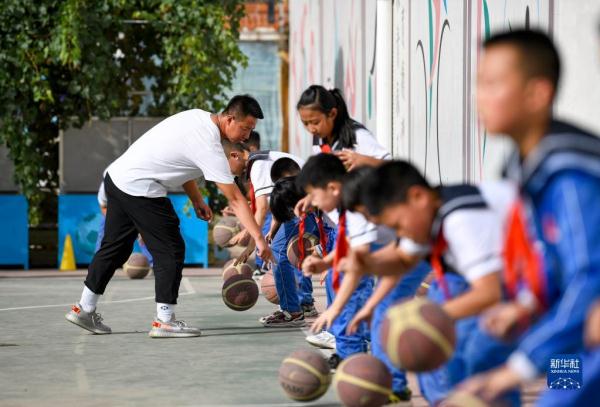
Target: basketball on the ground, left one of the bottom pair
(304, 375)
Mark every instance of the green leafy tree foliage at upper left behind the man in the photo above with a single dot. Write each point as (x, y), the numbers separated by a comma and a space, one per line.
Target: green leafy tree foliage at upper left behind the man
(63, 62)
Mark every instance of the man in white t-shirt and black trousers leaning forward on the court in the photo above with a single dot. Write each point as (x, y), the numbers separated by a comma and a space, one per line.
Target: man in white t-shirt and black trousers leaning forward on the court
(173, 153)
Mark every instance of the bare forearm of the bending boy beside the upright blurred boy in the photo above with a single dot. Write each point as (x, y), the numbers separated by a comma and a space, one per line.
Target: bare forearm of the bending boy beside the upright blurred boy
(484, 292)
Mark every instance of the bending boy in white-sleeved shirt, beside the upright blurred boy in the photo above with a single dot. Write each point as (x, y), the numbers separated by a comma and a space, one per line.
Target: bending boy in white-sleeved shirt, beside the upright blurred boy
(458, 230)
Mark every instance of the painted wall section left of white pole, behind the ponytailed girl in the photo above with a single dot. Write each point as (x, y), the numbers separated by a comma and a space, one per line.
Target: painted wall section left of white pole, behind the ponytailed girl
(332, 43)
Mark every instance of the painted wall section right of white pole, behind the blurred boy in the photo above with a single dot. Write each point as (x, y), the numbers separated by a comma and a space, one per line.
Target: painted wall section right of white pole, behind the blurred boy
(437, 47)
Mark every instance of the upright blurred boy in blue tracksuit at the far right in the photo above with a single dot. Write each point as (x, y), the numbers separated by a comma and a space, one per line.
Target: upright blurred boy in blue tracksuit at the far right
(557, 167)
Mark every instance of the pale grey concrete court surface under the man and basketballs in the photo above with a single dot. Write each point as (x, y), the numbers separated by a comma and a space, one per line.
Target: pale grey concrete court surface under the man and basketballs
(45, 360)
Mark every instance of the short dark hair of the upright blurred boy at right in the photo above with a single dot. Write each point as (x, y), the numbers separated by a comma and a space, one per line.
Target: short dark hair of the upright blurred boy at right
(538, 53)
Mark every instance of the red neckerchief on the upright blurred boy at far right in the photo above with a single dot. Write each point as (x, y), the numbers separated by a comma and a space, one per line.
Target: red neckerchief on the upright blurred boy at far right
(522, 262)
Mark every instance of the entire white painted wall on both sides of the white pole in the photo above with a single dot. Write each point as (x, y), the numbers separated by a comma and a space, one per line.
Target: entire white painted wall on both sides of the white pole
(436, 50)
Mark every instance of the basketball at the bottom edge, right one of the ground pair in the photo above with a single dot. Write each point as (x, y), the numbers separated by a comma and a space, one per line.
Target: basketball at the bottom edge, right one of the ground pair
(362, 380)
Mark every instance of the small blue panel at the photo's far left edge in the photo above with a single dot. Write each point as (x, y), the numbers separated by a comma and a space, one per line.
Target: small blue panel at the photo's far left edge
(14, 231)
